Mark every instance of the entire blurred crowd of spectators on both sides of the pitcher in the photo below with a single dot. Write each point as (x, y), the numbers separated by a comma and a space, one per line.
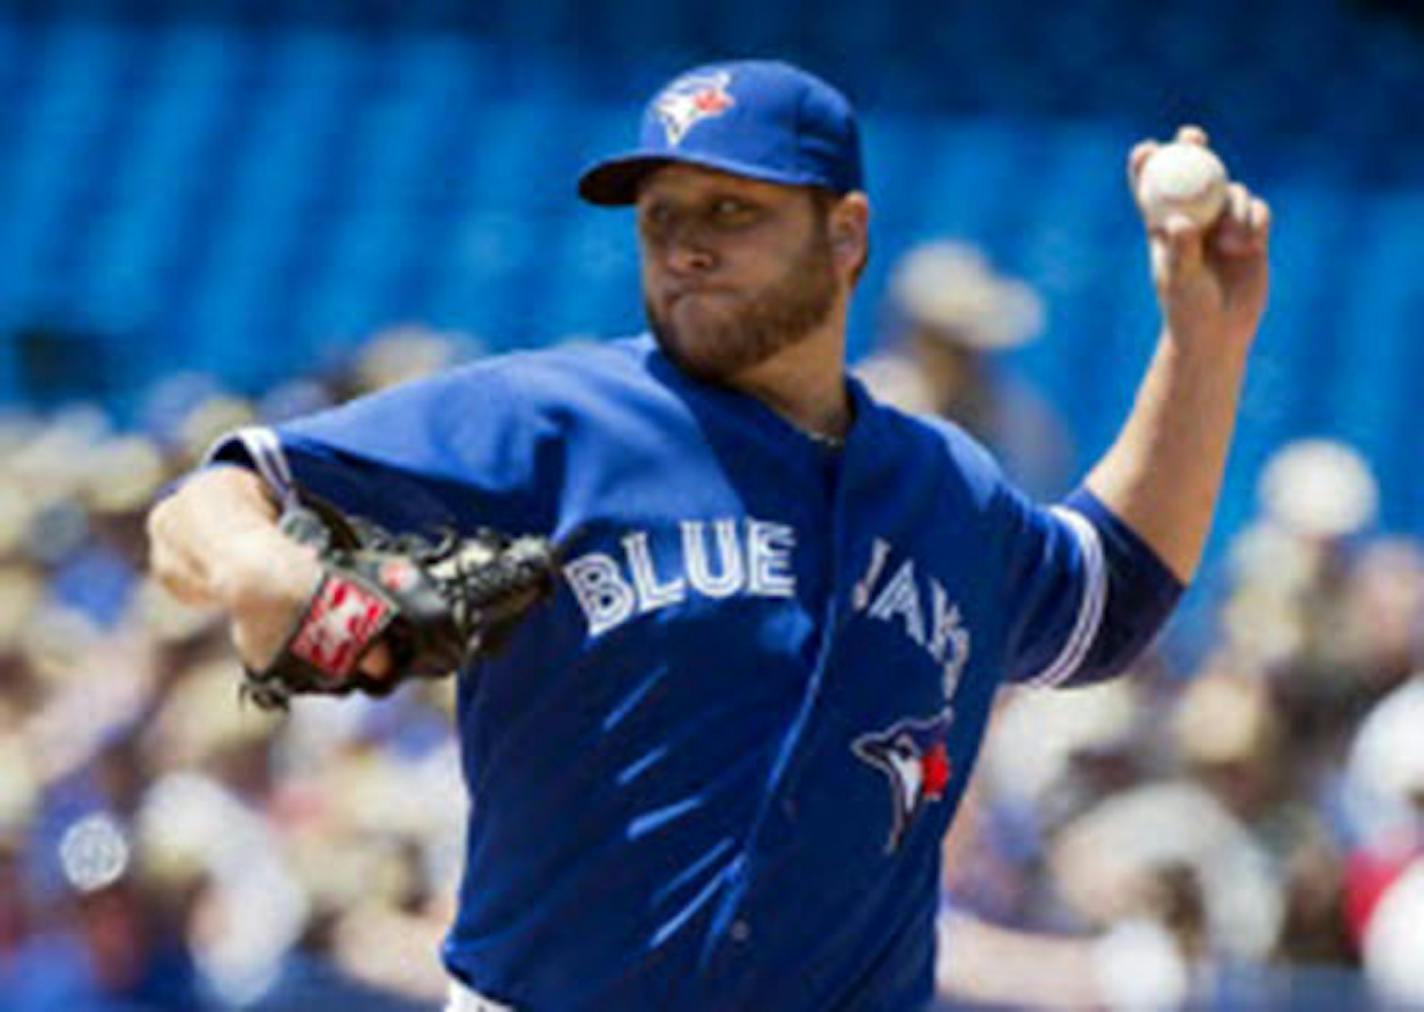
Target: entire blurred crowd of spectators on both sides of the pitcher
(1161, 839)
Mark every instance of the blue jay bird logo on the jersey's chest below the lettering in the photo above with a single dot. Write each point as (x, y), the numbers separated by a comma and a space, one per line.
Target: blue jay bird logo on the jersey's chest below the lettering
(915, 758)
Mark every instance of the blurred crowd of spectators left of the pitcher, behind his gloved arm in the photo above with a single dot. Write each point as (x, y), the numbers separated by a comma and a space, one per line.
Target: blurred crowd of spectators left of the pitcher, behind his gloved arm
(162, 845)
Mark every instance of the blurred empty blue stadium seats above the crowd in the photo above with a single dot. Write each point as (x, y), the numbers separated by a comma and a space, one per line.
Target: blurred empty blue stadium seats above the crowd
(256, 186)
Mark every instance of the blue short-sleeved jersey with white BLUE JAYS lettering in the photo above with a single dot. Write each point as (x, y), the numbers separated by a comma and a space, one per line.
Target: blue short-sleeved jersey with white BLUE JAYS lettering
(716, 771)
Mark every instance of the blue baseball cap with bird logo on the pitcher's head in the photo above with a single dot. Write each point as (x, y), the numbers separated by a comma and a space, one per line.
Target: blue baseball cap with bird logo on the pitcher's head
(758, 119)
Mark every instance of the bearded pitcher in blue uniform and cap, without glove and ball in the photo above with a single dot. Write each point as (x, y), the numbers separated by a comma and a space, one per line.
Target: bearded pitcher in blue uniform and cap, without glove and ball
(714, 771)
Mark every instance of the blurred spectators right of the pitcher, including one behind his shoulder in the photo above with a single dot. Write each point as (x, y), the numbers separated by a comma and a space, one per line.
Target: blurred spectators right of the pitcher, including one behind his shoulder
(1187, 833)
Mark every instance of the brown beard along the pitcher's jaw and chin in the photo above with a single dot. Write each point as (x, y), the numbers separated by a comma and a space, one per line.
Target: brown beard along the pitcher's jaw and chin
(780, 315)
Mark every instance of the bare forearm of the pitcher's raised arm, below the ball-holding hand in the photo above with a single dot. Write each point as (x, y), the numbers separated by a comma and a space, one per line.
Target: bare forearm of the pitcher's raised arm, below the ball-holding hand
(1164, 473)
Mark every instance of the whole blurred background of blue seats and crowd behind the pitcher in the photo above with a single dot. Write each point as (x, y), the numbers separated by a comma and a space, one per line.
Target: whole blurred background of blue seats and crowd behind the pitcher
(220, 213)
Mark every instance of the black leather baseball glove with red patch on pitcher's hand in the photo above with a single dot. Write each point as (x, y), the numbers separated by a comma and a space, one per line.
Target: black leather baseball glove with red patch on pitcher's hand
(436, 604)
